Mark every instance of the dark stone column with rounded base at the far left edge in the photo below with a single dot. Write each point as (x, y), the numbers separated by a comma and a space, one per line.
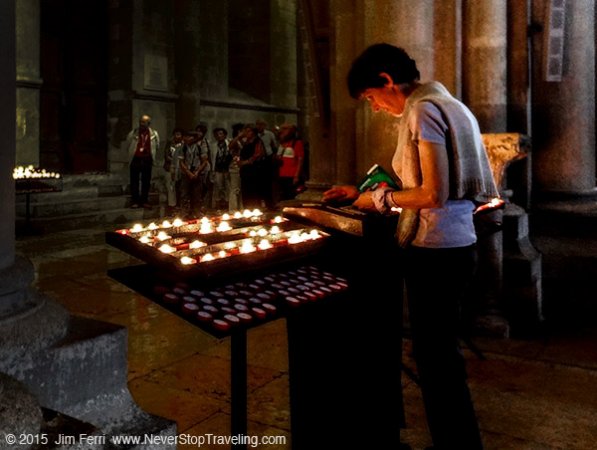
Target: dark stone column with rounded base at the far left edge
(28, 322)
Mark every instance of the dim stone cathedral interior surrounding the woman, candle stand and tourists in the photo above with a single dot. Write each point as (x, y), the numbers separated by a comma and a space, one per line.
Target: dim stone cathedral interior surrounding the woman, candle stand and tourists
(84, 354)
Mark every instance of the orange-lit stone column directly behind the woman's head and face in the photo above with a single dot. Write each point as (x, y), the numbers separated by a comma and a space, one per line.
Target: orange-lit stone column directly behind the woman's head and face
(411, 27)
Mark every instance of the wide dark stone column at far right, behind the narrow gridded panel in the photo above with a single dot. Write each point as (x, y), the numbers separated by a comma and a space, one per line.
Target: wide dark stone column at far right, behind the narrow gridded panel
(564, 112)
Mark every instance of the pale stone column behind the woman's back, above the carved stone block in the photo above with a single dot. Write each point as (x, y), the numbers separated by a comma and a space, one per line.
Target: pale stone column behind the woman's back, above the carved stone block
(484, 72)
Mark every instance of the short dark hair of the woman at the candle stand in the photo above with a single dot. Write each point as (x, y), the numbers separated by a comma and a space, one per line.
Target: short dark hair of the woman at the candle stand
(378, 58)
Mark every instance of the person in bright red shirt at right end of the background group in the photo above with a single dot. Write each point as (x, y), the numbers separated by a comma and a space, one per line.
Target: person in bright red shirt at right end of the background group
(290, 157)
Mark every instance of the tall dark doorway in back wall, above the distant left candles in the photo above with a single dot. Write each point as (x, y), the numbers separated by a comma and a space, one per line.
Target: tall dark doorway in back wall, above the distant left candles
(73, 103)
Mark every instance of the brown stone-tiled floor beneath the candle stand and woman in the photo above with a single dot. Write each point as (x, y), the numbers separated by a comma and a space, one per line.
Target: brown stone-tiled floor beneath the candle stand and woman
(537, 393)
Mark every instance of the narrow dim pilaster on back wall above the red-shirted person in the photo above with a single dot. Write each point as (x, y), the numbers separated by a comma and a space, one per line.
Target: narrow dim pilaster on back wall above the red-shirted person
(283, 41)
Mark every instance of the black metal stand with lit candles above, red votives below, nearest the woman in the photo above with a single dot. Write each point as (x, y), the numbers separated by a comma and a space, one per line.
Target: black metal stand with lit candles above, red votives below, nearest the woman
(189, 265)
